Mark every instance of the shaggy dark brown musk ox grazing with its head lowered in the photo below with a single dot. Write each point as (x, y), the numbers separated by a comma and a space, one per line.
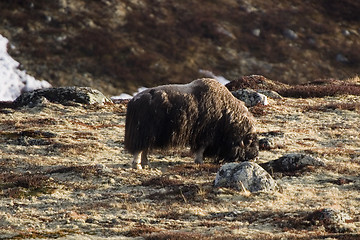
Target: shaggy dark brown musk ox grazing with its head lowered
(202, 114)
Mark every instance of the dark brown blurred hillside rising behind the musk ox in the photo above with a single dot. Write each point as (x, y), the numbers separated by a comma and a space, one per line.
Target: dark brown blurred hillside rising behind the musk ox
(117, 45)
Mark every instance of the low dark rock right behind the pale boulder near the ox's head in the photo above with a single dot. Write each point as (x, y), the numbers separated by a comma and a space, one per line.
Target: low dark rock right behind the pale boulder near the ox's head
(292, 162)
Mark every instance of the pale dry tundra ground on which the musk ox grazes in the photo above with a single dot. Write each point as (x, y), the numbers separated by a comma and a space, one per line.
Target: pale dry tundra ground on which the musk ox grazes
(64, 174)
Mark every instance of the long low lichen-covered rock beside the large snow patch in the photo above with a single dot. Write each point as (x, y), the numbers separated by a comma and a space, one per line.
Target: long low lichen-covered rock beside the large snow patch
(62, 95)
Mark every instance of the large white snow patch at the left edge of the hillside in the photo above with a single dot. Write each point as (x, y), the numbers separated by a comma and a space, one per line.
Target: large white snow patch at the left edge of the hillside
(14, 81)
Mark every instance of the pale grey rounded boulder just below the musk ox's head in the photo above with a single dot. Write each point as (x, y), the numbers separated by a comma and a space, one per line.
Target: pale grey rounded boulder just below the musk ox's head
(245, 176)
